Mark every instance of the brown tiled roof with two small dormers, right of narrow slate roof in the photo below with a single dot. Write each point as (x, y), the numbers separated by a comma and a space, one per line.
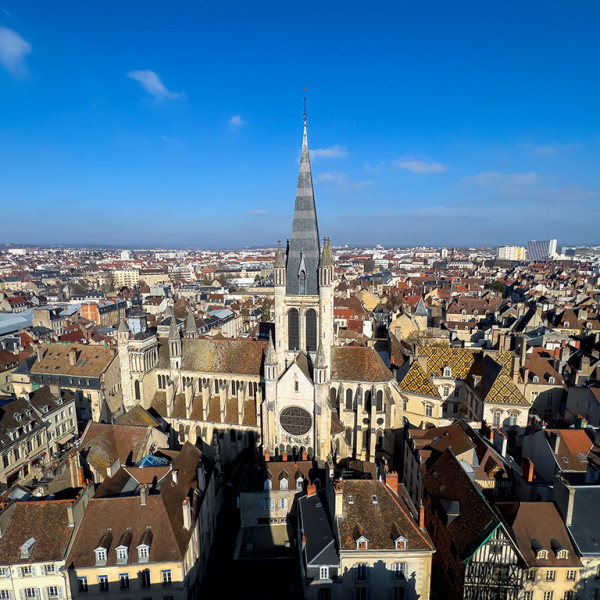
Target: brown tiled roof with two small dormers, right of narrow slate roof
(380, 523)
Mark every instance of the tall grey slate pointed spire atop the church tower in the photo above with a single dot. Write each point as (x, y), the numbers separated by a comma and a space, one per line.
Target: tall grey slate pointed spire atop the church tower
(304, 249)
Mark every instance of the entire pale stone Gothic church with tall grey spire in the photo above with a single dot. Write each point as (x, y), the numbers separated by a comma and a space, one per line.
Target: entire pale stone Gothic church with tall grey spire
(299, 393)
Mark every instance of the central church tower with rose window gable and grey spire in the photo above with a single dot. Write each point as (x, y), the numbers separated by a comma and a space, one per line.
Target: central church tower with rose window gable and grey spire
(296, 413)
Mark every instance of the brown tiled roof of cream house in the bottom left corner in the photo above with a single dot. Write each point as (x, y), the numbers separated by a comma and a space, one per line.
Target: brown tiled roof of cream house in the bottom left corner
(45, 520)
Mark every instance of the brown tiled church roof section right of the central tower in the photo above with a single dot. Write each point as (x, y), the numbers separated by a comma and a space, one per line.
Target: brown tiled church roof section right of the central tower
(358, 363)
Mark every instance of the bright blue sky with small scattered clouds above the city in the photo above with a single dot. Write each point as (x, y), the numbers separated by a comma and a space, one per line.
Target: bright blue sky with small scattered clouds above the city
(180, 123)
